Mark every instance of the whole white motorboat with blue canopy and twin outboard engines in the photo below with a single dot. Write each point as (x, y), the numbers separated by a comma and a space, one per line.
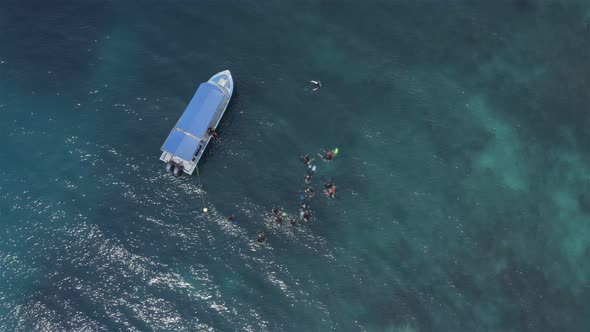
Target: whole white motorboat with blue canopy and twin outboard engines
(189, 138)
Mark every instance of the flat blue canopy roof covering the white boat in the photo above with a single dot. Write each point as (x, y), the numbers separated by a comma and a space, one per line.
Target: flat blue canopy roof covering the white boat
(185, 138)
